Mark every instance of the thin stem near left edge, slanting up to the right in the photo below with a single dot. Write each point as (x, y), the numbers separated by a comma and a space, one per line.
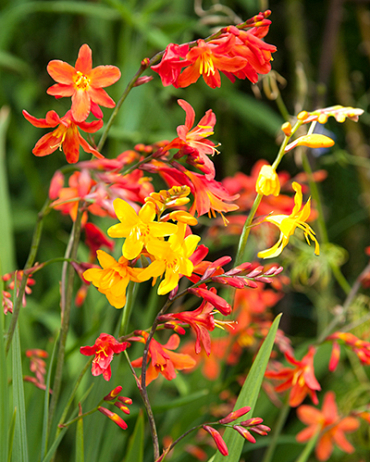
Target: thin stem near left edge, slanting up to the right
(30, 260)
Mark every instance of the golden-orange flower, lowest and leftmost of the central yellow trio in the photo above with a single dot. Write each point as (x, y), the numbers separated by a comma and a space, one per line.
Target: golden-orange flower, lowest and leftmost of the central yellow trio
(113, 279)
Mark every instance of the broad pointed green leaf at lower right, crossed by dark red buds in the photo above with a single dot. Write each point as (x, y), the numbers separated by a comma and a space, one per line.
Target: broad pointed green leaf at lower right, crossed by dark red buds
(248, 396)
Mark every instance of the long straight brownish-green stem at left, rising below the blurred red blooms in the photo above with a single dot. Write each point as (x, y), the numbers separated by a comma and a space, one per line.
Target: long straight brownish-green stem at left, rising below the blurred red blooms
(66, 304)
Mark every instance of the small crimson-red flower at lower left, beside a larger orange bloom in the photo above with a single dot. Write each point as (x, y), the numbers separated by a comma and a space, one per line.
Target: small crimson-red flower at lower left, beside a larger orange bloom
(104, 349)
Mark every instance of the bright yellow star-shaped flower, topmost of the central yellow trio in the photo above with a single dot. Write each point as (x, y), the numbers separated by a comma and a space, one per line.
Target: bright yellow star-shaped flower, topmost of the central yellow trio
(138, 229)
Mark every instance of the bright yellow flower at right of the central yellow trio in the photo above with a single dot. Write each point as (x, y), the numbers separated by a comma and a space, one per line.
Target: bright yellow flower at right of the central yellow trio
(171, 258)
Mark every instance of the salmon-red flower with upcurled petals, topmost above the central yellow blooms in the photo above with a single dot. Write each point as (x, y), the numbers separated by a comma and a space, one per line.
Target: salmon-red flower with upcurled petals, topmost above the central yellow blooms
(191, 142)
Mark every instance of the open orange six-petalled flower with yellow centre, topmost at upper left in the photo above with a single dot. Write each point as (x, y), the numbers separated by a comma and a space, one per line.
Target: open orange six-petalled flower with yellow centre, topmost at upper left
(83, 83)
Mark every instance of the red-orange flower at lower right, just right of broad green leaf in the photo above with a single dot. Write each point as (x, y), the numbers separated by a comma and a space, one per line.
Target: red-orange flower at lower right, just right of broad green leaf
(301, 380)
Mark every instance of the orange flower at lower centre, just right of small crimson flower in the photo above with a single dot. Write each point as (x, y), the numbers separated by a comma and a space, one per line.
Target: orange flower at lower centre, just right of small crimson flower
(163, 360)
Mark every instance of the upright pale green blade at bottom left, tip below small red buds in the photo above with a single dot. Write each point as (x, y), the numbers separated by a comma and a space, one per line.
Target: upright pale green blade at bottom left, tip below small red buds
(20, 449)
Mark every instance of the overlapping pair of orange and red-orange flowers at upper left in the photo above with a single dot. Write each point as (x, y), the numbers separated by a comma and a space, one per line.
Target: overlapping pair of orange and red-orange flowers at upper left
(84, 85)
